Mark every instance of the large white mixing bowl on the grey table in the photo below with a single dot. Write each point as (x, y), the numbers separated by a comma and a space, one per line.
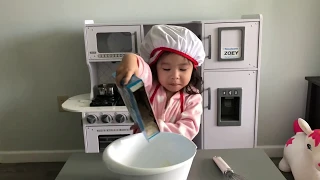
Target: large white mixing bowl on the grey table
(168, 156)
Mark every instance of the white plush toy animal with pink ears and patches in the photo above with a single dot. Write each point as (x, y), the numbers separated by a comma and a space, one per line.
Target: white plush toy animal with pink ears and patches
(301, 154)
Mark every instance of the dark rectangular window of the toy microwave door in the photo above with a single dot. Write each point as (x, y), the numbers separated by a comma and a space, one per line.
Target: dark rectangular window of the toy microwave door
(111, 42)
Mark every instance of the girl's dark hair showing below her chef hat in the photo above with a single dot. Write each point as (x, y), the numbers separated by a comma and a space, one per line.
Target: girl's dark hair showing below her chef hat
(195, 80)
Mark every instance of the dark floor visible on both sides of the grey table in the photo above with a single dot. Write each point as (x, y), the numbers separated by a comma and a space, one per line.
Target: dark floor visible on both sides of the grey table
(49, 171)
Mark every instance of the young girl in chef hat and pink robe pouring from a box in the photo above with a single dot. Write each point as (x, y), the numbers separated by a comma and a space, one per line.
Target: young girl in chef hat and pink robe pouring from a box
(169, 58)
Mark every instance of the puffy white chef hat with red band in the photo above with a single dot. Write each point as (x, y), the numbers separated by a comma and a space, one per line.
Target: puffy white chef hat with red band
(176, 39)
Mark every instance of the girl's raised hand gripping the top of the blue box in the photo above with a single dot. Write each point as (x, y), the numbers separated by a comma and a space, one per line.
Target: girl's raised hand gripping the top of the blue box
(125, 70)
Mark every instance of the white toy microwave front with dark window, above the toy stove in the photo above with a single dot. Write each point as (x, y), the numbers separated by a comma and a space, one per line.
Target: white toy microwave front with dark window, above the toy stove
(104, 42)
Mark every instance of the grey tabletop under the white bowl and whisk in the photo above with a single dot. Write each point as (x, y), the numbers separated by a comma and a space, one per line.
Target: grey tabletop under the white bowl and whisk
(252, 163)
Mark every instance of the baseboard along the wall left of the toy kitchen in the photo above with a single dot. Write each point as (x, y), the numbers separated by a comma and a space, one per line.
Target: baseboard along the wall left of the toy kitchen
(36, 156)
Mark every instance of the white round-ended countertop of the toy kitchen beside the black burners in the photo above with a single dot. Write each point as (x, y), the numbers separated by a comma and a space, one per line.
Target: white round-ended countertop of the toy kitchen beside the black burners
(81, 103)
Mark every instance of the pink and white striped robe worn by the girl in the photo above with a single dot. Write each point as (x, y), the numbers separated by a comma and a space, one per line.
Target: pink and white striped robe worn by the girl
(183, 112)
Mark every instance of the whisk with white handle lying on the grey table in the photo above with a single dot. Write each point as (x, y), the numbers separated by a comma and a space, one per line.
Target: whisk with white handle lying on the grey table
(226, 170)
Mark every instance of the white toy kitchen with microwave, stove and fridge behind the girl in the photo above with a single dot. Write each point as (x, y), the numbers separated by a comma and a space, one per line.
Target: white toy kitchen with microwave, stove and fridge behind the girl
(231, 75)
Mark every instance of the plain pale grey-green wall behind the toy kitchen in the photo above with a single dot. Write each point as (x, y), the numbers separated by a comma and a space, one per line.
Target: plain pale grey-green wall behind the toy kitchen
(42, 56)
